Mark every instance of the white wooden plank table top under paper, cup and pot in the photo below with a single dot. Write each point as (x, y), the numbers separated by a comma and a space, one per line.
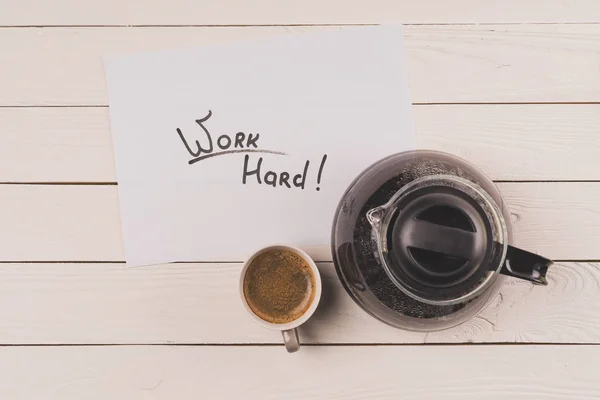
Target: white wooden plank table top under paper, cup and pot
(512, 86)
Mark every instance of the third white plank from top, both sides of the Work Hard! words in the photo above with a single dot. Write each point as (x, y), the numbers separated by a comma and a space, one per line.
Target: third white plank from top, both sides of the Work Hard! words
(508, 142)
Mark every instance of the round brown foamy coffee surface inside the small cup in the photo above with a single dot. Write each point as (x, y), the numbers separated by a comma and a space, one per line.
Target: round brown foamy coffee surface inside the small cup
(279, 286)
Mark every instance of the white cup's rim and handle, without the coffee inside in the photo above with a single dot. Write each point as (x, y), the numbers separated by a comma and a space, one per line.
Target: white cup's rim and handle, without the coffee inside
(288, 329)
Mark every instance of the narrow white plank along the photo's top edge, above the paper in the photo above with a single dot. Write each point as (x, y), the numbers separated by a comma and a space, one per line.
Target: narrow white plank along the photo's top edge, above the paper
(224, 12)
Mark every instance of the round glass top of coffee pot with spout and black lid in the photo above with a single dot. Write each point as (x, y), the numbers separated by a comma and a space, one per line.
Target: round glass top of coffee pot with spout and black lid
(441, 239)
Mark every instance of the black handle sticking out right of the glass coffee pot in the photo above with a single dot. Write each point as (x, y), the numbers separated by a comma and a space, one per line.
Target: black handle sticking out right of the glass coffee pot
(525, 265)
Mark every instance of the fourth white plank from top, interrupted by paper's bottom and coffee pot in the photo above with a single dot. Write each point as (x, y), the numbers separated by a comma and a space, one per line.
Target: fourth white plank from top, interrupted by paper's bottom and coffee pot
(68, 223)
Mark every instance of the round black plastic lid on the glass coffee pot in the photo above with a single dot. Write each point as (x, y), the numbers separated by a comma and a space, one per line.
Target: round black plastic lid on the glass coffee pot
(438, 240)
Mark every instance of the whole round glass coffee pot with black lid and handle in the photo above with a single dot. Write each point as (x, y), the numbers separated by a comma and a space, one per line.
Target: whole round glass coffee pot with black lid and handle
(422, 241)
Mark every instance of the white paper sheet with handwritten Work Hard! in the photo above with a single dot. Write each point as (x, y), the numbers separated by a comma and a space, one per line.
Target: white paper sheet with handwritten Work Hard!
(342, 93)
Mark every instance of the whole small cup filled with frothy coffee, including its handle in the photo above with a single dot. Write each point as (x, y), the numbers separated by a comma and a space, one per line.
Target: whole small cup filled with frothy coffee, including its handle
(281, 287)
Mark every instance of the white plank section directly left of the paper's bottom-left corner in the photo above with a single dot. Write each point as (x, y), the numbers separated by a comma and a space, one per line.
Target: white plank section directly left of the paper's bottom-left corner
(60, 223)
